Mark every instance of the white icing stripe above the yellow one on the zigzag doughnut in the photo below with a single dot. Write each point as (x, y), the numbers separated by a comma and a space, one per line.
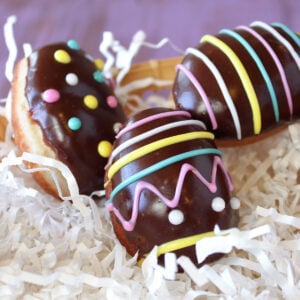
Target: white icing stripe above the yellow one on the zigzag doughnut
(152, 132)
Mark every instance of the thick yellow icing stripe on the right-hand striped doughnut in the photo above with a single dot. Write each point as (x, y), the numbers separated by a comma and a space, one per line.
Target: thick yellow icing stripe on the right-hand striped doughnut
(256, 113)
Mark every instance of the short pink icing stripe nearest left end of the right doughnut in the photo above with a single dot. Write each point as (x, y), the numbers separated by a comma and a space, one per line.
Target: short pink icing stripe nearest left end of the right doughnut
(202, 93)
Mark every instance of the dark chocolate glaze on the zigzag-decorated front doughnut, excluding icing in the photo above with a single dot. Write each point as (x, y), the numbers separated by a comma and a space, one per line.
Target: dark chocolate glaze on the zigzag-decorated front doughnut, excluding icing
(152, 226)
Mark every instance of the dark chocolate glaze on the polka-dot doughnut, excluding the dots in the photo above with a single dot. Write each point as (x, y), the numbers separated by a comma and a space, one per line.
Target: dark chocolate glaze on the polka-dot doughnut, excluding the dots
(76, 148)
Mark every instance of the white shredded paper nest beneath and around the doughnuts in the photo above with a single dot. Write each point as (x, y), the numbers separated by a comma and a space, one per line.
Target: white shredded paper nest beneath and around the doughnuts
(66, 249)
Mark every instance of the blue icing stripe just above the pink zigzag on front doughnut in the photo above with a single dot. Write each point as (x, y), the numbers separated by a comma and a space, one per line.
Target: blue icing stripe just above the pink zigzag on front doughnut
(162, 164)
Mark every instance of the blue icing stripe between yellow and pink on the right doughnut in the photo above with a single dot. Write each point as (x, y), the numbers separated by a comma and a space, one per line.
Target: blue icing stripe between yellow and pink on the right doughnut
(260, 66)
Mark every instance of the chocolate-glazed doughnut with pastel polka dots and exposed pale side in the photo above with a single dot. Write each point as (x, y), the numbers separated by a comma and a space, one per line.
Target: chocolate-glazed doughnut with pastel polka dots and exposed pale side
(64, 108)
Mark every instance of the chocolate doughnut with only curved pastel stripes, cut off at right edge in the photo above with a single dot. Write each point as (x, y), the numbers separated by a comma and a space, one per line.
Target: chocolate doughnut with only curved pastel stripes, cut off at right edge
(241, 82)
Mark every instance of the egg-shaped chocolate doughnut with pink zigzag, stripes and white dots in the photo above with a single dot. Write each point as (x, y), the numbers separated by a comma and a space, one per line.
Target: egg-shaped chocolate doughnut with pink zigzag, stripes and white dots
(166, 184)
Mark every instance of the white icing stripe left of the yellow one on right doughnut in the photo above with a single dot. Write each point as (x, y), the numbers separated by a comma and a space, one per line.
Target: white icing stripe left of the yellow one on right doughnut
(222, 86)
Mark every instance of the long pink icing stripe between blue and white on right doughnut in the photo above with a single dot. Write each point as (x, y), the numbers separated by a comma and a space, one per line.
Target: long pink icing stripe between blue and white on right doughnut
(277, 62)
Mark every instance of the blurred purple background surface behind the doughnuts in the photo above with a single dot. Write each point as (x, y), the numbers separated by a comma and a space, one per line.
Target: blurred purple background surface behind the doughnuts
(183, 21)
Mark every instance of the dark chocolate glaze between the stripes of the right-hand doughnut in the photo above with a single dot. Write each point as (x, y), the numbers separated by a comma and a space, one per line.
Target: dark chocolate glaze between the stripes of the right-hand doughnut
(187, 97)
